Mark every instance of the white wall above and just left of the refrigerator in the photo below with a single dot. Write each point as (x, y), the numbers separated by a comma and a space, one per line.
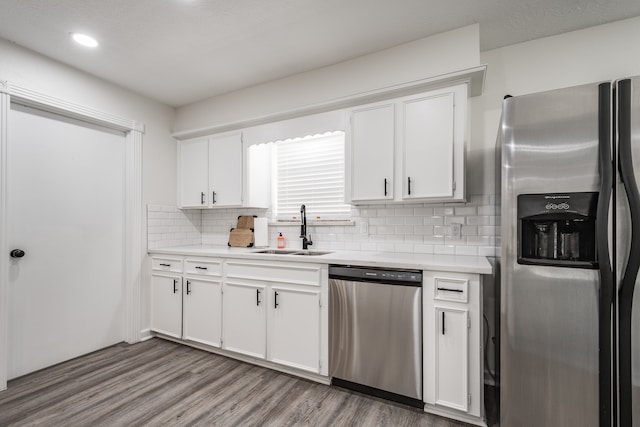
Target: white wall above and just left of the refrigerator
(605, 52)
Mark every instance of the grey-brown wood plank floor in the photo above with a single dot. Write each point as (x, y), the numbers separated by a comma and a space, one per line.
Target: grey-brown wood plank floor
(159, 382)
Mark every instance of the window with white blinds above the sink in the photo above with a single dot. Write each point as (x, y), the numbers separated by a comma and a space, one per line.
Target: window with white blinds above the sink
(310, 171)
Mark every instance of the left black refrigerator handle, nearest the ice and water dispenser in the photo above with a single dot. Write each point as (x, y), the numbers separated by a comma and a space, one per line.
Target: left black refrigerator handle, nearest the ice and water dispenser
(604, 263)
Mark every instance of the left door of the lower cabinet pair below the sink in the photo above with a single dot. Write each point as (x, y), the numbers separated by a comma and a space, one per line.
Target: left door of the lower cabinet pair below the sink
(244, 319)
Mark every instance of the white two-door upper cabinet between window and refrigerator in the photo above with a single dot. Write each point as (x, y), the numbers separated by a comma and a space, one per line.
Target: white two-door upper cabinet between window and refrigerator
(410, 148)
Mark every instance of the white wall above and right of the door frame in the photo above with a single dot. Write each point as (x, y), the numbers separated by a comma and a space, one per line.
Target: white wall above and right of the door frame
(33, 71)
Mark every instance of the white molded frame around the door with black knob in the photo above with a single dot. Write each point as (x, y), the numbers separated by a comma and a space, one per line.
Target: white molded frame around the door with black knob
(11, 93)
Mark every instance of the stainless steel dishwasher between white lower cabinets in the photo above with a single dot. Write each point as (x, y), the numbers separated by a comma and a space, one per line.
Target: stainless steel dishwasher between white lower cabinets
(375, 332)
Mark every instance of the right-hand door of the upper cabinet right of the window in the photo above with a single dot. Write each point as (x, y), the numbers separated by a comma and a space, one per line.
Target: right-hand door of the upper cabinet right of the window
(428, 136)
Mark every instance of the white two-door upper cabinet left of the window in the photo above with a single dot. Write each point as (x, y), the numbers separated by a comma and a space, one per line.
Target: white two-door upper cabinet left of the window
(212, 174)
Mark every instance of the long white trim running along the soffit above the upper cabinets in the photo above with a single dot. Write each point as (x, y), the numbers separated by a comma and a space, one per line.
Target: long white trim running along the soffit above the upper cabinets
(473, 76)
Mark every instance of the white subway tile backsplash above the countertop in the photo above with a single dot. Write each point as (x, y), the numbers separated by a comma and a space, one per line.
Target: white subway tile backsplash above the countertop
(421, 228)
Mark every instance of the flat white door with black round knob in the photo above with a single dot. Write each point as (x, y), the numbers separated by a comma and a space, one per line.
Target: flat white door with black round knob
(66, 187)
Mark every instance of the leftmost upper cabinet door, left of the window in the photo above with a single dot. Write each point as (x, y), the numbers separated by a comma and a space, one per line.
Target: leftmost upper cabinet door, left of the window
(193, 173)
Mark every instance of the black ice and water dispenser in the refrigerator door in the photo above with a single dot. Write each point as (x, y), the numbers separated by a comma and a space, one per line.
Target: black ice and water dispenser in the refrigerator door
(557, 229)
